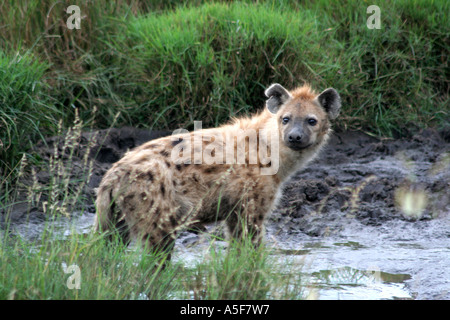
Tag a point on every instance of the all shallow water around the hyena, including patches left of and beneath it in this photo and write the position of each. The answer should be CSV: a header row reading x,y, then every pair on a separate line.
x,y
398,260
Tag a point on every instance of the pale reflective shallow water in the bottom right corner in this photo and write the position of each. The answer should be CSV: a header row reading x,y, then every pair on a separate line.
x,y
399,260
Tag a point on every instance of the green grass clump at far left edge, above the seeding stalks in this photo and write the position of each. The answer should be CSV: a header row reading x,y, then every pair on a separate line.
x,y
27,111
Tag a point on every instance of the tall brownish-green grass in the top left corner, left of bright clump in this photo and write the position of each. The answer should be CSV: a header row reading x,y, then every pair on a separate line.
x,y
83,67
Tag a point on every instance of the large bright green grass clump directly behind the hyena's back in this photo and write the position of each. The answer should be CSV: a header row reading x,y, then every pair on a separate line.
x,y
213,61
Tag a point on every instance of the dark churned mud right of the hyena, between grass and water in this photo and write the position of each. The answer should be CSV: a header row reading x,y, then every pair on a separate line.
x,y
357,176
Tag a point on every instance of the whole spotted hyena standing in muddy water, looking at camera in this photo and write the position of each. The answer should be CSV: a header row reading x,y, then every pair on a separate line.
x,y
232,173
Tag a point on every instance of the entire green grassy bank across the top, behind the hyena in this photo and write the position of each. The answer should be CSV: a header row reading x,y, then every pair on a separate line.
x,y
166,65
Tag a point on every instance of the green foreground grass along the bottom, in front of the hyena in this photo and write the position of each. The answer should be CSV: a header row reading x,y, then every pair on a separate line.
x,y
37,270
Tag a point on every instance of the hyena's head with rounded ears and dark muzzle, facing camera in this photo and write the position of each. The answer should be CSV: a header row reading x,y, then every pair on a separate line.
x,y
303,116
